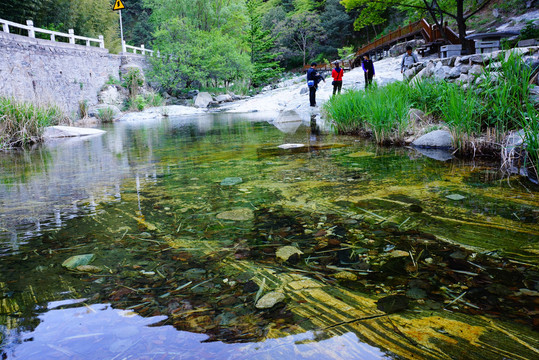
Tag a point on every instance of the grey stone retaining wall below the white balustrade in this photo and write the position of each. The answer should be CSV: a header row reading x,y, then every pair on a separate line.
x,y
46,72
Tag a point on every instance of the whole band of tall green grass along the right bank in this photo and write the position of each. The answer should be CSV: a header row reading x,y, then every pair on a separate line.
x,y
494,107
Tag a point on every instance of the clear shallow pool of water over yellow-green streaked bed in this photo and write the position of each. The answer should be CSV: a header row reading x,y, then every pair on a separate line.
x,y
148,199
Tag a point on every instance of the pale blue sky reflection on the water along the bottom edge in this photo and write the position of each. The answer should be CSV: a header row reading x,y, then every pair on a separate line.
x,y
100,331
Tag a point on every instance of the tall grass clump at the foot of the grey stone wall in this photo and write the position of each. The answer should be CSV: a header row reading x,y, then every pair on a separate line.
x,y
23,123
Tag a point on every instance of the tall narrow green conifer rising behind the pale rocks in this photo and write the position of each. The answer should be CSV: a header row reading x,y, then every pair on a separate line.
x,y
261,43
